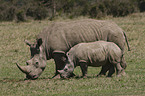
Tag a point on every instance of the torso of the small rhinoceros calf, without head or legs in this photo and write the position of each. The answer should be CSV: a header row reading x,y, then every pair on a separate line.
x,y
95,53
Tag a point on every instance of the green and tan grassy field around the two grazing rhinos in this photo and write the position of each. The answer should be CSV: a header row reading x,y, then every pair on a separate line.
x,y
13,49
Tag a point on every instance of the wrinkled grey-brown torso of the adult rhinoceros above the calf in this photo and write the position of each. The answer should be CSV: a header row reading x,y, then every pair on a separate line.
x,y
61,36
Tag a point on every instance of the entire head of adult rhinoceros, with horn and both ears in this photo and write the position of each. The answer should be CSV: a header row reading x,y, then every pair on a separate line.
x,y
37,63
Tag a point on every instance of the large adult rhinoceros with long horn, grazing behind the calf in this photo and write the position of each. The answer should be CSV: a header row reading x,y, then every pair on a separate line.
x,y
55,40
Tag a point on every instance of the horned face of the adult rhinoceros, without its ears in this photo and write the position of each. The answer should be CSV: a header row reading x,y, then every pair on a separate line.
x,y
34,67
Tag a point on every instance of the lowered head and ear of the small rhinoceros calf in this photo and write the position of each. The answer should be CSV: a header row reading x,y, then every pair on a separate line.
x,y
67,71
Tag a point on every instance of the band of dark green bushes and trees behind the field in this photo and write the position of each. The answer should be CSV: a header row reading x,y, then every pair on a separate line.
x,y
22,10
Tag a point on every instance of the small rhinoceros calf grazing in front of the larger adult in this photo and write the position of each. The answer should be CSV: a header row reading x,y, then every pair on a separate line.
x,y
99,53
